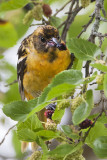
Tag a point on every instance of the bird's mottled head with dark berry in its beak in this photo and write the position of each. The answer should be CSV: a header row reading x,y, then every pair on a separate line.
x,y
46,39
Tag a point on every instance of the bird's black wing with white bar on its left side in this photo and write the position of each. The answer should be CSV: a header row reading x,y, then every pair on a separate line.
x,y
21,69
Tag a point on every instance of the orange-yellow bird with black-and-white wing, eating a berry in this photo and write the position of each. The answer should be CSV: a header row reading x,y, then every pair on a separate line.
x,y
41,56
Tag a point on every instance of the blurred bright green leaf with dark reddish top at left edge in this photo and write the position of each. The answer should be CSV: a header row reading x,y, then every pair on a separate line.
x,y
8,35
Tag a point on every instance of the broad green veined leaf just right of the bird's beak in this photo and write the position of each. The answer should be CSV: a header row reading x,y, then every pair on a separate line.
x,y
83,49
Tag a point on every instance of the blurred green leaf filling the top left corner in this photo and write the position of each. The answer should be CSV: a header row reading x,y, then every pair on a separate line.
x,y
13,4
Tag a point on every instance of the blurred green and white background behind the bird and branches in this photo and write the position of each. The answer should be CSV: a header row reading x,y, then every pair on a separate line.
x,y
14,27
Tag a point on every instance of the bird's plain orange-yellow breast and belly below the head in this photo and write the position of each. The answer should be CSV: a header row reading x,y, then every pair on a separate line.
x,y
40,71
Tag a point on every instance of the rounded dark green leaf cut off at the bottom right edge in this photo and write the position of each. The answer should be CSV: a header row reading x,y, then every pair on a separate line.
x,y
100,147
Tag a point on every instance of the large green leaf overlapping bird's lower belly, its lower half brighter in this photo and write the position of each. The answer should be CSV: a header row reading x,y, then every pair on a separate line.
x,y
61,84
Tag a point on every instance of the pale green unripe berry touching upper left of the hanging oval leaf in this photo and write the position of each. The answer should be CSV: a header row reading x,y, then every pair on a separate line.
x,y
75,103
